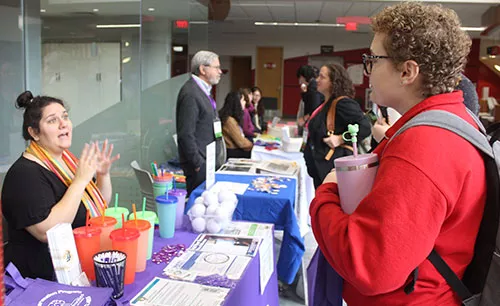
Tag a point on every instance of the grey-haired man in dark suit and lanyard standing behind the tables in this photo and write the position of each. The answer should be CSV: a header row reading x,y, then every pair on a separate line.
x,y
196,117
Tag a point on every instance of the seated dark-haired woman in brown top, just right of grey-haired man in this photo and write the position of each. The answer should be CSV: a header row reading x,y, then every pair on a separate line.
x,y
231,116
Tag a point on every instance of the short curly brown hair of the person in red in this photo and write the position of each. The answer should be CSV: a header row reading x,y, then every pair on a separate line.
x,y
431,36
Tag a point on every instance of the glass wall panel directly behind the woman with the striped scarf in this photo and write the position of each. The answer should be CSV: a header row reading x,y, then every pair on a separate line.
x,y
87,52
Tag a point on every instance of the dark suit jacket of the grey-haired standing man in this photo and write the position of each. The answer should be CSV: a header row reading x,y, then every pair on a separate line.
x,y
195,118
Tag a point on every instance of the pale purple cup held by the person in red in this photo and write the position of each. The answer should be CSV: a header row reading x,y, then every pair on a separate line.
x,y
355,177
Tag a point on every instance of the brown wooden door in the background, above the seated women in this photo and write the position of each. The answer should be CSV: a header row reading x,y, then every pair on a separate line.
x,y
269,73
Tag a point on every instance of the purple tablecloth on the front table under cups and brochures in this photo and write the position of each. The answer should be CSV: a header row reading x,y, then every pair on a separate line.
x,y
247,291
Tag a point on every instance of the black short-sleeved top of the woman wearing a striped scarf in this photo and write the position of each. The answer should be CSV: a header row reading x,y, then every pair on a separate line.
x,y
29,192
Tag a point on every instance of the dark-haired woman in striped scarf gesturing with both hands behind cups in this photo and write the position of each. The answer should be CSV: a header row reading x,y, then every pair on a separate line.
x,y
48,185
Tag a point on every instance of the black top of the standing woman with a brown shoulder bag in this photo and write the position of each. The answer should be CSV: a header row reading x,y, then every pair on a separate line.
x,y
347,112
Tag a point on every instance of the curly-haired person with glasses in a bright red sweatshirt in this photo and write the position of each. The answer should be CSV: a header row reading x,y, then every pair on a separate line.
x,y
430,187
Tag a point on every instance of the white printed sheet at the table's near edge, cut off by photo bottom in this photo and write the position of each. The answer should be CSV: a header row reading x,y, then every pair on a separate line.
x,y
166,292
